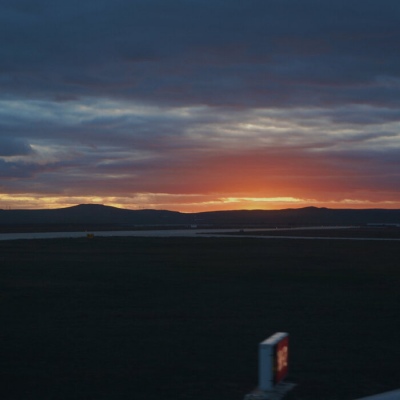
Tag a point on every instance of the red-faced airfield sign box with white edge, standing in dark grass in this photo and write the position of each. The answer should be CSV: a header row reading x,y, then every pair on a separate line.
x,y
273,360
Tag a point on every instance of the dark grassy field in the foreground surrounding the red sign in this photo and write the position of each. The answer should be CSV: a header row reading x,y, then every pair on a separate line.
x,y
132,318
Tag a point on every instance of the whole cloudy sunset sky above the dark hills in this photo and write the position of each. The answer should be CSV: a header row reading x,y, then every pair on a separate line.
x,y
198,105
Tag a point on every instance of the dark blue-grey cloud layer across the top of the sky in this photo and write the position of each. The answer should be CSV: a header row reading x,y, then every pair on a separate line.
x,y
252,53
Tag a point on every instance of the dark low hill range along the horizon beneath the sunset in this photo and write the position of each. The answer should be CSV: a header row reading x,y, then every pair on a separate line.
x,y
106,217
